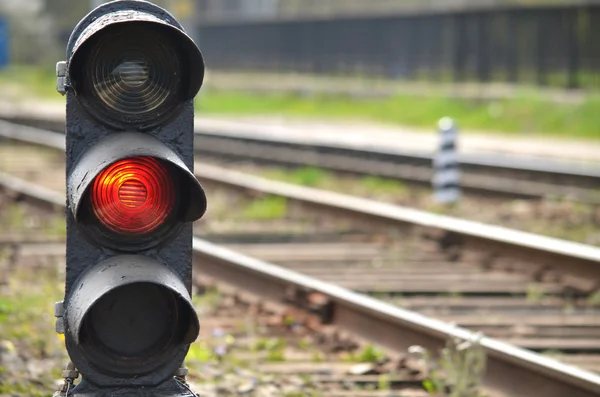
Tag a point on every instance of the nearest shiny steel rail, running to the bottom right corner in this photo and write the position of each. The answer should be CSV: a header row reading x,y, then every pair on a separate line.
x,y
511,371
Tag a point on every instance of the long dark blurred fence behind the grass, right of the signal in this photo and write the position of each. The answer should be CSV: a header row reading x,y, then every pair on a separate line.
x,y
550,45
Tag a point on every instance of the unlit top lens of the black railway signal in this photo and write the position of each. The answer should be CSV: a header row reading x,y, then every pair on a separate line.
x,y
133,75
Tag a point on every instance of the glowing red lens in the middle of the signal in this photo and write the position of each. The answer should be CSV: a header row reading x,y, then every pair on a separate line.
x,y
133,196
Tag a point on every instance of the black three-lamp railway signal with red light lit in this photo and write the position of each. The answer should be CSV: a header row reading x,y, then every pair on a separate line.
x,y
130,78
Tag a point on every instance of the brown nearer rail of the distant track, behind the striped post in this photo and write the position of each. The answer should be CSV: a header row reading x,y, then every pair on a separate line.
x,y
382,165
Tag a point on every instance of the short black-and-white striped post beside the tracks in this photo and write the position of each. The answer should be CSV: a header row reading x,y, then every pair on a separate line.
x,y
446,177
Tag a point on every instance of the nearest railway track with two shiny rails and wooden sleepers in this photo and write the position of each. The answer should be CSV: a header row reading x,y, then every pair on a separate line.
x,y
513,285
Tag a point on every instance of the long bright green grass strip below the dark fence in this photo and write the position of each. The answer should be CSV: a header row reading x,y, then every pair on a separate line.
x,y
524,115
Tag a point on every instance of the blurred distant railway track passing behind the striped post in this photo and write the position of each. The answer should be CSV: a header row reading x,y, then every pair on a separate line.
x,y
482,175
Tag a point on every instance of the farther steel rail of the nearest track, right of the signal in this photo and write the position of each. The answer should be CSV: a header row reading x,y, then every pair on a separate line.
x,y
577,259
